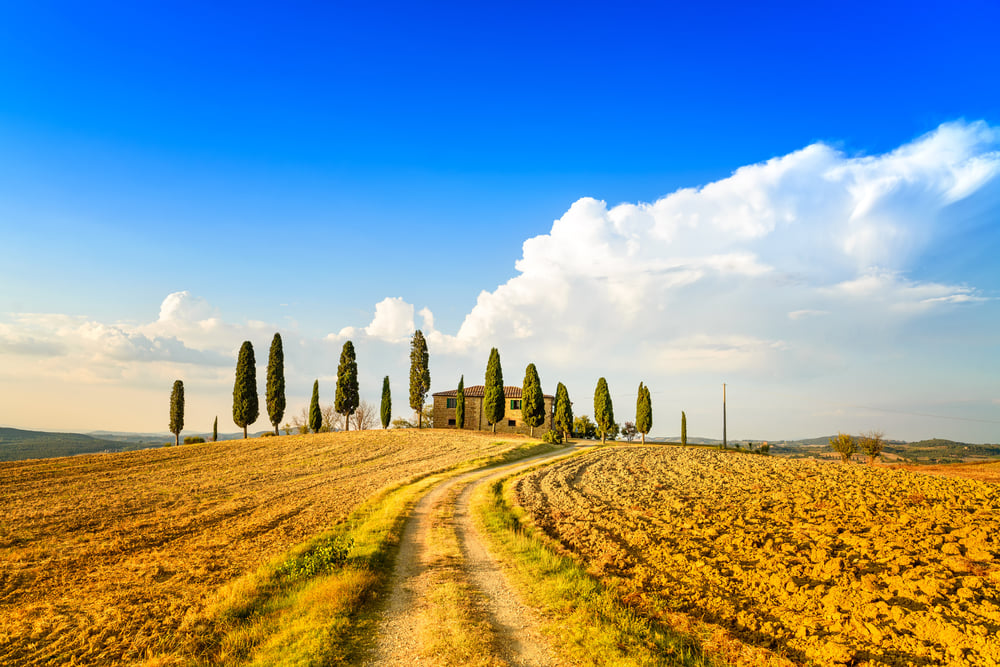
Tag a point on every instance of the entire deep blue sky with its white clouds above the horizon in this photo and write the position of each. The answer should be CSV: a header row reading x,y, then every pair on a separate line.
x,y
288,167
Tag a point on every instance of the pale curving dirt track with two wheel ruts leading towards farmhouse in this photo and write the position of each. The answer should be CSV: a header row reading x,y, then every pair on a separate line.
x,y
516,638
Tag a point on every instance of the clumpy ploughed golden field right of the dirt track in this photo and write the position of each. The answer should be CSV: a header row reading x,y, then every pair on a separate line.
x,y
817,562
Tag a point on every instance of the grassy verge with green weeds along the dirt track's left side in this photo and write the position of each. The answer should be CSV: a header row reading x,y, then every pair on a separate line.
x,y
272,617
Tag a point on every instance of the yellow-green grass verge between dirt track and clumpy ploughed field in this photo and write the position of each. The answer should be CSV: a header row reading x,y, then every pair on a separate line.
x,y
587,623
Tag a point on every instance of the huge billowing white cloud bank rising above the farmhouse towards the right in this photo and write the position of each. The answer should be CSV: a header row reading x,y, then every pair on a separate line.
x,y
721,275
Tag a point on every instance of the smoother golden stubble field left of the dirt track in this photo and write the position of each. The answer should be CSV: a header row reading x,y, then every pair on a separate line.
x,y
103,556
